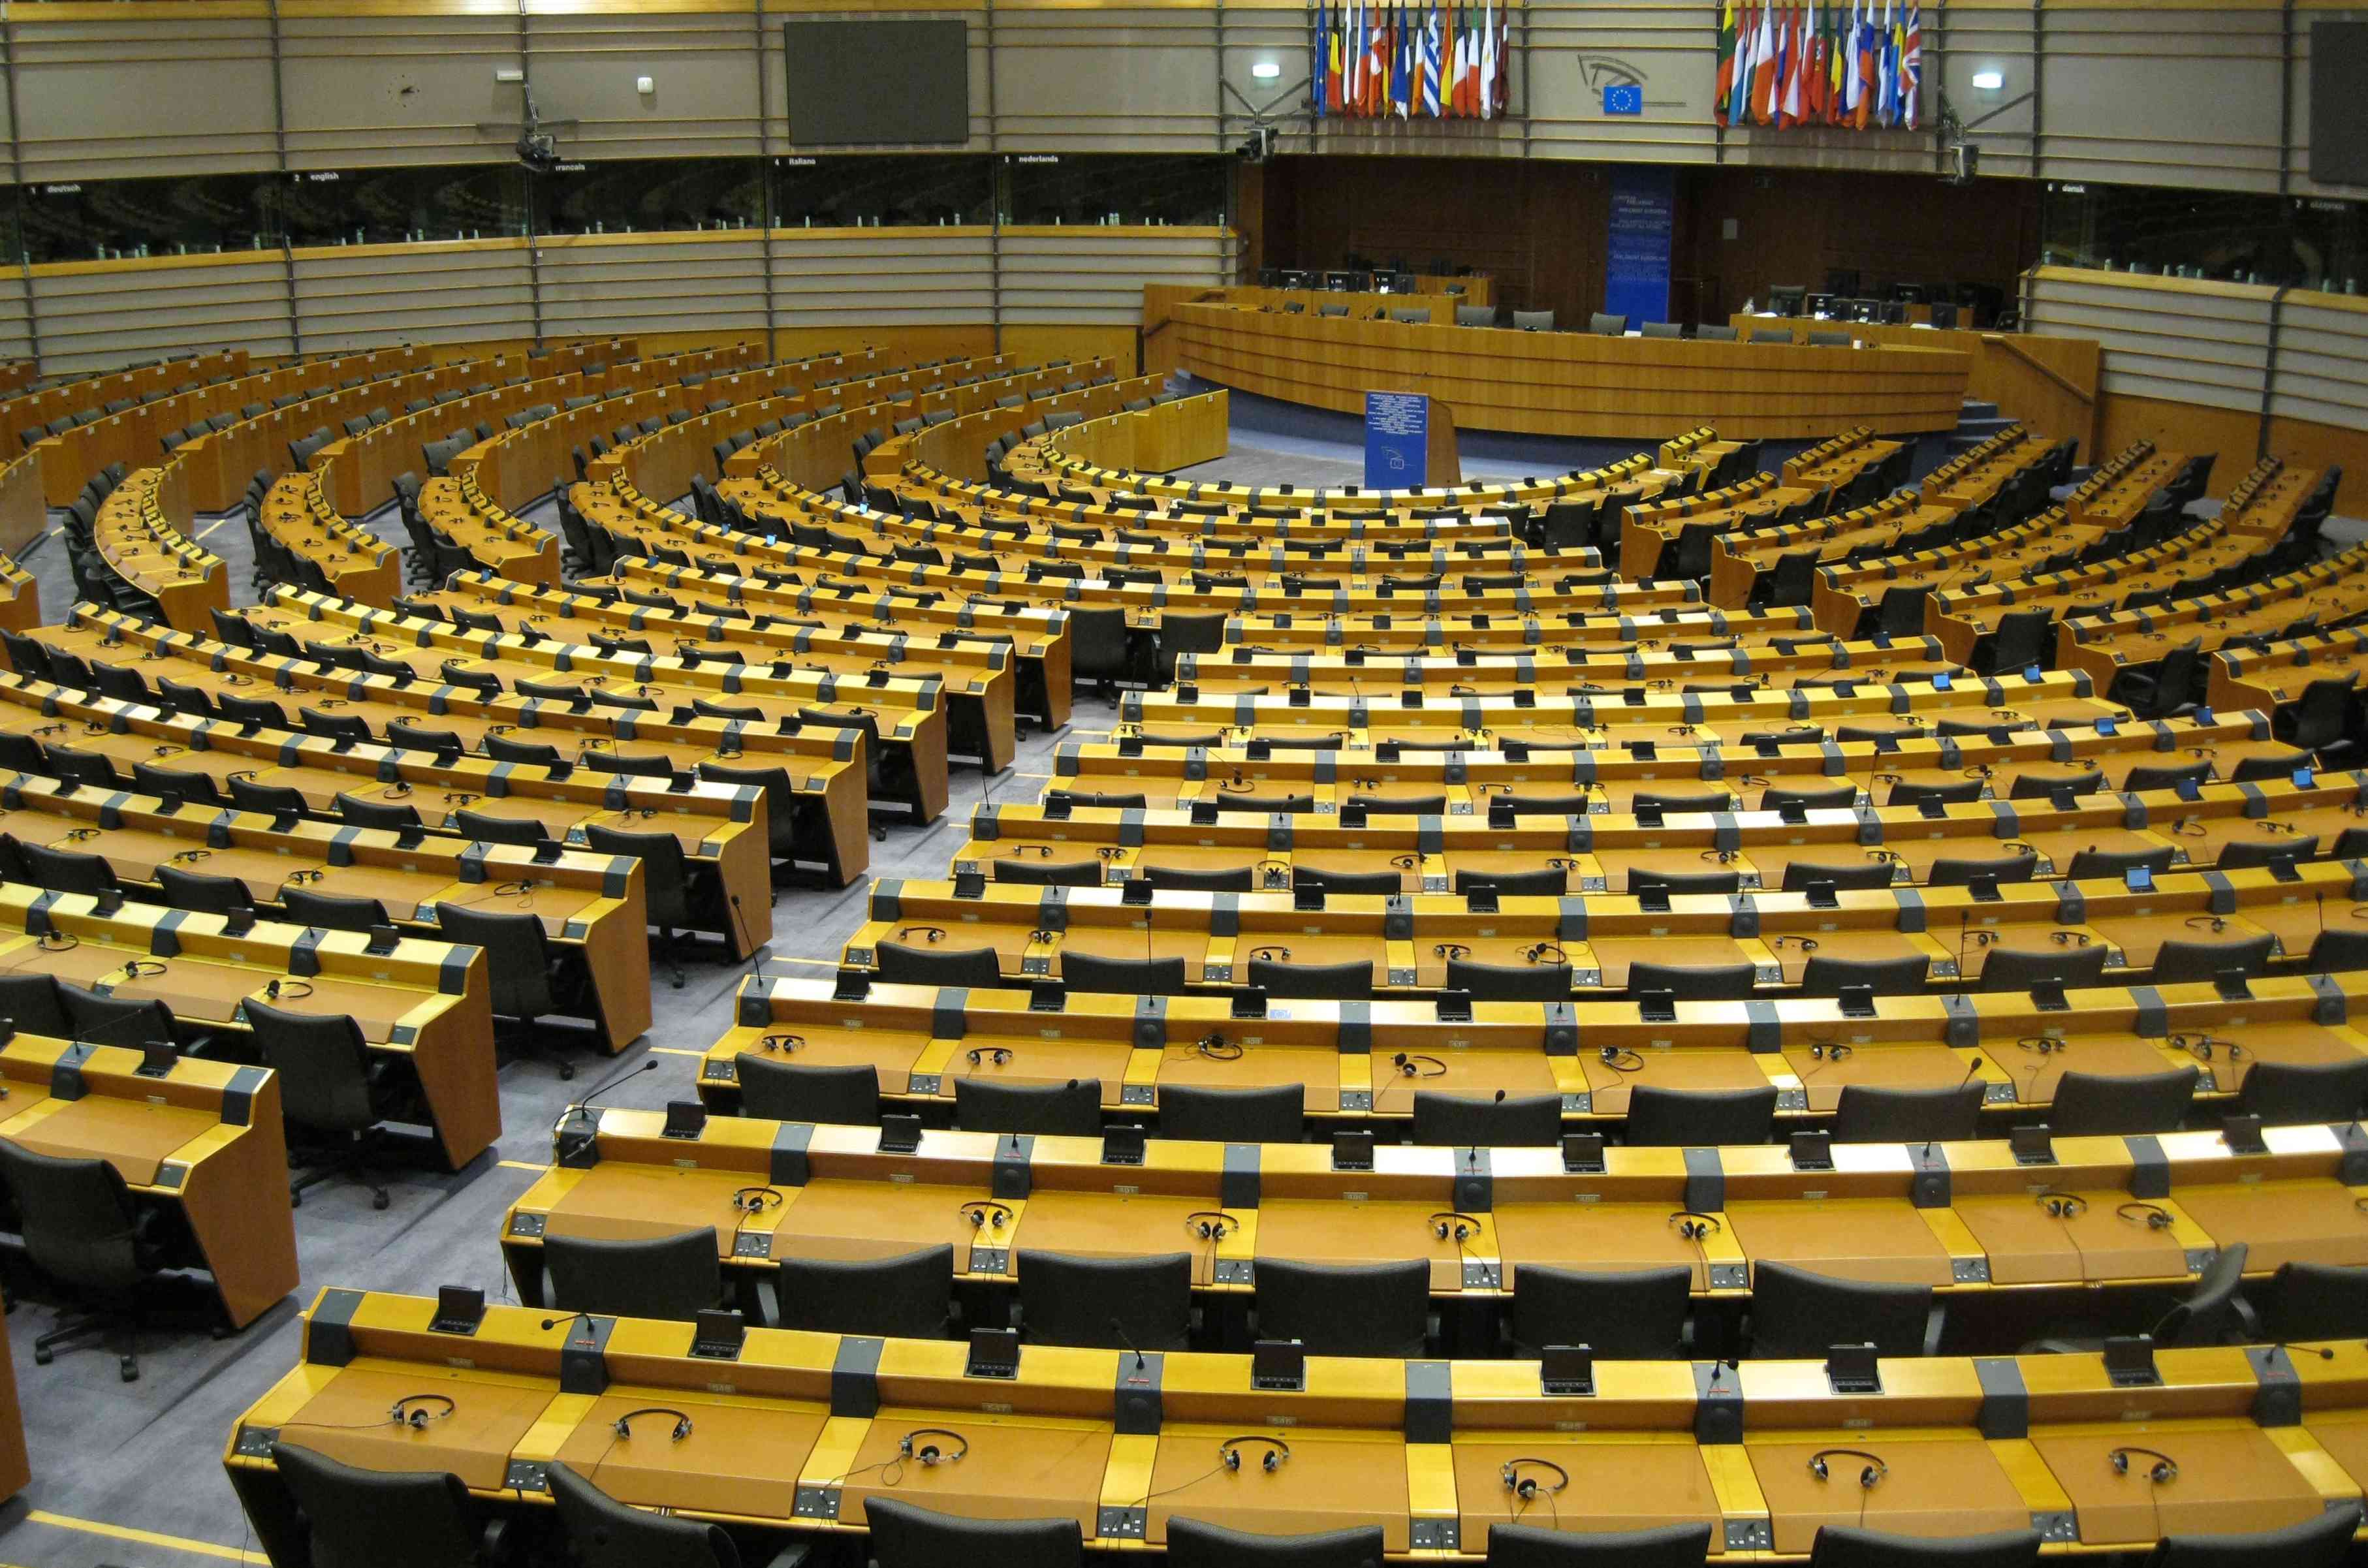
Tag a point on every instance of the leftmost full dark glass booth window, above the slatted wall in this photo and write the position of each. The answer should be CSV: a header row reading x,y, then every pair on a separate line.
x,y
117,219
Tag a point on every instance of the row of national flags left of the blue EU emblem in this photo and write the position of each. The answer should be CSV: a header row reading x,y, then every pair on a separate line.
x,y
1382,58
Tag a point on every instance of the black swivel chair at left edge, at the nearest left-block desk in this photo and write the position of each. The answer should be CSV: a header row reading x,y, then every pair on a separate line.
x,y
84,1230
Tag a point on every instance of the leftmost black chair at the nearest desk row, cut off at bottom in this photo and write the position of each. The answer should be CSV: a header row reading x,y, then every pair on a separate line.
x,y
352,1515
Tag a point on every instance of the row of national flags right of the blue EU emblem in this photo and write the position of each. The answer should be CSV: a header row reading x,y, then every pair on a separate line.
x,y
1806,65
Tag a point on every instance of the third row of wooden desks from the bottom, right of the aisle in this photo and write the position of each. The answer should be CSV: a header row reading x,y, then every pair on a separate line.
x,y
1368,1060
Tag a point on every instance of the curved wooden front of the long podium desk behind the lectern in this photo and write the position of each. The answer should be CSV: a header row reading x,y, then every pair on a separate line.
x,y
1574,385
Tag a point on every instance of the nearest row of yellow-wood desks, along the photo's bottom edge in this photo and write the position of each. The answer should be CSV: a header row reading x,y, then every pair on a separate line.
x,y
799,1432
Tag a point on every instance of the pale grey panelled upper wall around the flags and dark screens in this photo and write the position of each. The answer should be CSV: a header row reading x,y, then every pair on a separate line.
x,y
2137,94
